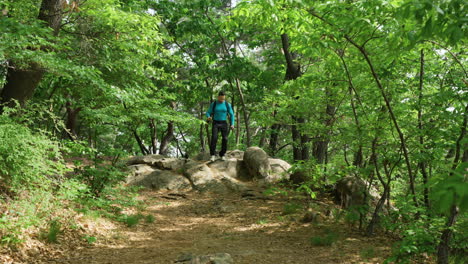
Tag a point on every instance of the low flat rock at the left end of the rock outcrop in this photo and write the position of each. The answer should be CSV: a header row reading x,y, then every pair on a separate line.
x,y
161,179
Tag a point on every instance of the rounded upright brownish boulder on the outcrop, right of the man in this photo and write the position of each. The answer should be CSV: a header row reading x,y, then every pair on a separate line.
x,y
257,162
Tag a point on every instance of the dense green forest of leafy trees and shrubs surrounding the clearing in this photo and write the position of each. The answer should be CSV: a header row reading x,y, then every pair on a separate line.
x,y
374,89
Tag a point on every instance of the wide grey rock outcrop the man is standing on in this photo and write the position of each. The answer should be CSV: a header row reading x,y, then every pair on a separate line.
x,y
160,172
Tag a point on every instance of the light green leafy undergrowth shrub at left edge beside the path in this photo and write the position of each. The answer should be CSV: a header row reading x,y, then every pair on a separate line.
x,y
36,197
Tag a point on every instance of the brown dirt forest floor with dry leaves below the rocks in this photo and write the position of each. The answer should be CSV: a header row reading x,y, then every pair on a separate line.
x,y
252,229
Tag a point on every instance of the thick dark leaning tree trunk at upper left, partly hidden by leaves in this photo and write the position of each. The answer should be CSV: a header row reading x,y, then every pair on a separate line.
x,y
21,83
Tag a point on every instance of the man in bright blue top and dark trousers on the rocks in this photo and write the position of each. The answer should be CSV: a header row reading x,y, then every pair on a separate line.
x,y
217,112
